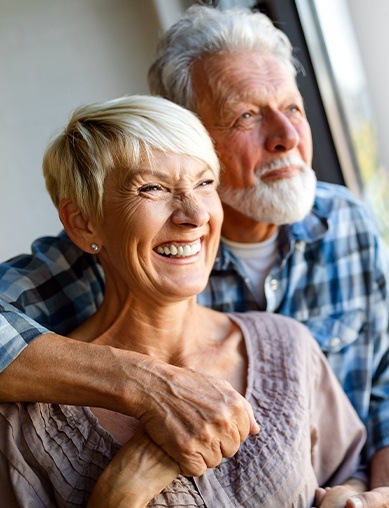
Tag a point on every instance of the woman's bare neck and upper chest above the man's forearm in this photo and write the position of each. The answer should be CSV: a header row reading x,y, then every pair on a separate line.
x,y
181,333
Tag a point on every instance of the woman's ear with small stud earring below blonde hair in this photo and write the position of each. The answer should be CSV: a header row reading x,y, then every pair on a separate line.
x,y
78,227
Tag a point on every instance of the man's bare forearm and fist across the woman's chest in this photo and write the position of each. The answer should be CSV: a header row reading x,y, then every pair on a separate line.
x,y
195,419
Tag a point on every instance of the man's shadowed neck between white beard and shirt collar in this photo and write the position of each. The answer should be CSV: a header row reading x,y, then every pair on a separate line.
x,y
242,229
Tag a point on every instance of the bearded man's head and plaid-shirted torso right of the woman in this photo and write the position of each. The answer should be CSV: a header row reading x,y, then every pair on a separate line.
x,y
326,268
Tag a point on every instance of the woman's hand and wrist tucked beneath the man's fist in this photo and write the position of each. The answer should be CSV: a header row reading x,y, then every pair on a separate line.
x,y
139,471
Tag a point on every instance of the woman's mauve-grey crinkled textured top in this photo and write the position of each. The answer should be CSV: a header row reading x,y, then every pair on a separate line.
x,y
52,455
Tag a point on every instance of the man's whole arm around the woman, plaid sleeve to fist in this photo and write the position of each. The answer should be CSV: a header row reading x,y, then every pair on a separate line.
x,y
195,419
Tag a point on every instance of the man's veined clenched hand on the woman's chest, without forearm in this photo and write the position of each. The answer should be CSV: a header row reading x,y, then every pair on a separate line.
x,y
197,420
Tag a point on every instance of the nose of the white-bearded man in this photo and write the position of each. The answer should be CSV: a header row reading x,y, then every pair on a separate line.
x,y
282,134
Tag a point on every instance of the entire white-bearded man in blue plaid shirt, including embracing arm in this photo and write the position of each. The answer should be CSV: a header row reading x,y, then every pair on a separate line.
x,y
290,246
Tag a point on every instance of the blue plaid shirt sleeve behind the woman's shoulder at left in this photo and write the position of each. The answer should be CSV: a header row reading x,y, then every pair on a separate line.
x,y
55,288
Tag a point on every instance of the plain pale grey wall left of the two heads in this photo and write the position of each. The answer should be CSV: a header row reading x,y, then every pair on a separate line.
x,y
54,56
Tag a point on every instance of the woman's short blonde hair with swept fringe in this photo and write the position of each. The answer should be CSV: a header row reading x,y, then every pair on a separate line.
x,y
119,133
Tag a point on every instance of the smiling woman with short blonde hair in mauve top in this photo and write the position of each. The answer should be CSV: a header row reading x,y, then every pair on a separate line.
x,y
134,181
